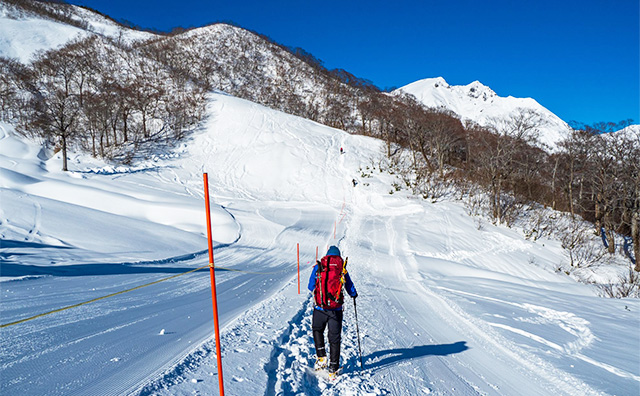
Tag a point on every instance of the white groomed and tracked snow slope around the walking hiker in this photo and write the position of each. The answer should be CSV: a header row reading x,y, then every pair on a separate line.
x,y
443,308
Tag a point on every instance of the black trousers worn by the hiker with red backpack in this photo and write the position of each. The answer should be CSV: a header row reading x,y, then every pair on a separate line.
x,y
320,321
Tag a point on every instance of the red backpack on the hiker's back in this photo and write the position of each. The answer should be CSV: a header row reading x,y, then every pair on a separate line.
x,y
329,280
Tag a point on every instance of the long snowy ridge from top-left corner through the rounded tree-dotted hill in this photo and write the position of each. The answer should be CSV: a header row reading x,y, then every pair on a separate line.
x,y
218,56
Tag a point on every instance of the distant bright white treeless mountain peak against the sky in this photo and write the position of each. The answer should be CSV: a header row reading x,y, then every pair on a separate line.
x,y
478,103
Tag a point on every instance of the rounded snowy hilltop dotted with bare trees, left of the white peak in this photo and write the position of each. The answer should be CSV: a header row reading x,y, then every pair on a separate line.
x,y
245,64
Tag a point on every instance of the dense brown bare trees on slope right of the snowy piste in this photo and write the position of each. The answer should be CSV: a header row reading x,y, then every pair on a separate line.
x,y
593,176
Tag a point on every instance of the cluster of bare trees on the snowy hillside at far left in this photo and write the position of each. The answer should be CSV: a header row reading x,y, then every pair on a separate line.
x,y
98,96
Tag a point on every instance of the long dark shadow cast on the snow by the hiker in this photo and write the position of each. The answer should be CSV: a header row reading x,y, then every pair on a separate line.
x,y
379,359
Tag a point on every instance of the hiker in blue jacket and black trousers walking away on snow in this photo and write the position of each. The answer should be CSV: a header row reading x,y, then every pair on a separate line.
x,y
326,281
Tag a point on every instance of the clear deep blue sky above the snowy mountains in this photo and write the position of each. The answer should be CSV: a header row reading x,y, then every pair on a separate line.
x,y
580,59
